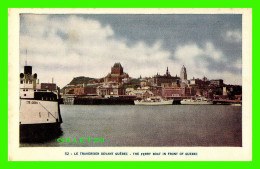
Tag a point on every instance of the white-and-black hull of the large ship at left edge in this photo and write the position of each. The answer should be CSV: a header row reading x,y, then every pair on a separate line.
x,y
39,120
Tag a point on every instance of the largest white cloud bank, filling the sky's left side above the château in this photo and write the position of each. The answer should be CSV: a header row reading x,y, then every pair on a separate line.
x,y
74,46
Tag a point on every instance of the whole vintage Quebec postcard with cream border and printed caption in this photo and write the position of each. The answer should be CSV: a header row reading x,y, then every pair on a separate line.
x,y
130,84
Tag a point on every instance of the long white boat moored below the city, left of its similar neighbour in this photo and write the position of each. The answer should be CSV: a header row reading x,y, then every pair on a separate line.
x,y
154,101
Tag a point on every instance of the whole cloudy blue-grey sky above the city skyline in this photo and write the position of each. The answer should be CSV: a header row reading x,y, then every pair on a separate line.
x,y
65,46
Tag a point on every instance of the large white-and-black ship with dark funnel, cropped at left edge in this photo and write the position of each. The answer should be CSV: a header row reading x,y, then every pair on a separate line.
x,y
39,109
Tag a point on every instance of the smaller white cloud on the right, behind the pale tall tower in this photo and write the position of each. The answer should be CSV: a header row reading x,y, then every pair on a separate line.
x,y
206,60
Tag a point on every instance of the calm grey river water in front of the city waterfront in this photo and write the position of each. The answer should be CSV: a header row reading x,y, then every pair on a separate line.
x,y
171,125
